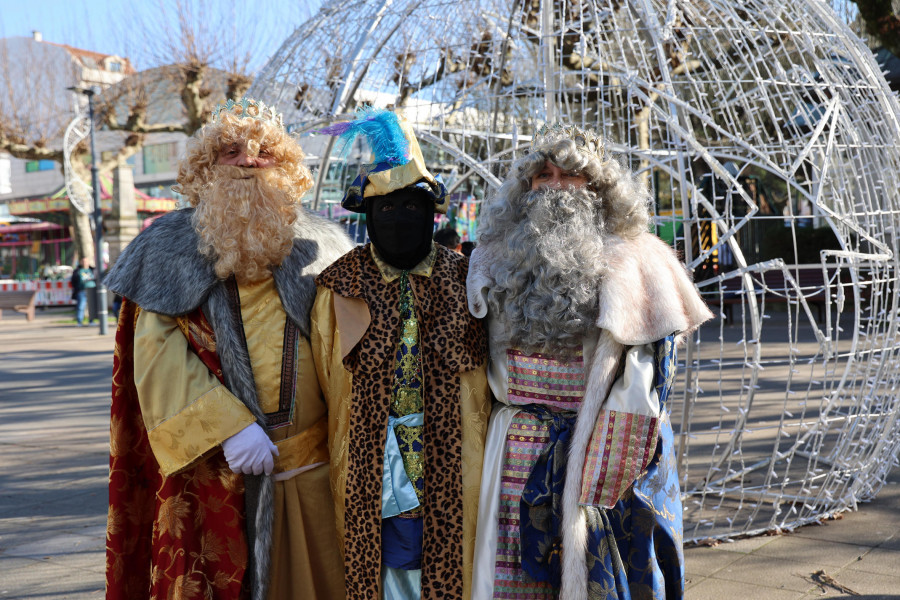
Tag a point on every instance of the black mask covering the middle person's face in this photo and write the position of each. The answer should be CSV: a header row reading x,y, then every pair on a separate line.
x,y
400,226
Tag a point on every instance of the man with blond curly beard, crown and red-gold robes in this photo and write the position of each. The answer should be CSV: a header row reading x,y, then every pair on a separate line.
x,y
219,478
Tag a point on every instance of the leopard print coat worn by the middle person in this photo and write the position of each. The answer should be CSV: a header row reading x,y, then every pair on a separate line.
x,y
451,342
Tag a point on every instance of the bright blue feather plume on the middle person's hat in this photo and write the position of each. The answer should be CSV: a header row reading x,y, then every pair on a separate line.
x,y
382,130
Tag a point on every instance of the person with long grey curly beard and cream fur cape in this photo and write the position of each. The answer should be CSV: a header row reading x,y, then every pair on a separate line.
x,y
579,494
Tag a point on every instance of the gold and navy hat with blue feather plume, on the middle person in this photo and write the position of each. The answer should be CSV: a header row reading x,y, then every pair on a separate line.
x,y
397,159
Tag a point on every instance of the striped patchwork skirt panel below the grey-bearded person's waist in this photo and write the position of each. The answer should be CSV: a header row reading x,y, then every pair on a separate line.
x,y
525,440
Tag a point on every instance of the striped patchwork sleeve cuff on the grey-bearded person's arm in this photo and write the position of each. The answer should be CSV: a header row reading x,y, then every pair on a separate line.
x,y
621,447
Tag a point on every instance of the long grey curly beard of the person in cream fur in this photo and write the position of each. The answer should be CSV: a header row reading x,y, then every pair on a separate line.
x,y
548,269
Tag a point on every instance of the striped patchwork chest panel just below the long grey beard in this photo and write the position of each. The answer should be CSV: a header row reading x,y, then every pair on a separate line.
x,y
540,379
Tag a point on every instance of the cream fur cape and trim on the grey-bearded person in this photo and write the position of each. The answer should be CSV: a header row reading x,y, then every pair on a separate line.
x,y
646,295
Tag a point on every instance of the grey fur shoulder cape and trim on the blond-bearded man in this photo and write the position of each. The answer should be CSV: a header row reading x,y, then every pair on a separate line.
x,y
162,271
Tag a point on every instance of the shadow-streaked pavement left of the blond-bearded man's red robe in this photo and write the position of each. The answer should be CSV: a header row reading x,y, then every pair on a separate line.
x,y
55,381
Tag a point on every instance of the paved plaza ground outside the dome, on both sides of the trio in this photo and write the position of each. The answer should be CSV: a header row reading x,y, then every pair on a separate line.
x,y
54,410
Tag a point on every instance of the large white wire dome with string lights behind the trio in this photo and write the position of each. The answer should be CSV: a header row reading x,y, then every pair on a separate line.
x,y
769,139
